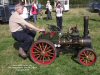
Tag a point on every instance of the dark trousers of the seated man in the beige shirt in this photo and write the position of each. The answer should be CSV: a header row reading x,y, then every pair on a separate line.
x,y
25,37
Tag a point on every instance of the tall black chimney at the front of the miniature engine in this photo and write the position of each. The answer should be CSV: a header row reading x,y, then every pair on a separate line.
x,y
86,32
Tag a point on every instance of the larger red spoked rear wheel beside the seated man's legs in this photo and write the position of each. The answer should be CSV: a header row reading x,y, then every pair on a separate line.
x,y
43,52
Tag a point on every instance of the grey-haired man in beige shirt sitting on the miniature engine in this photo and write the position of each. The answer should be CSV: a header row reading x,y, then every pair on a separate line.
x,y
22,31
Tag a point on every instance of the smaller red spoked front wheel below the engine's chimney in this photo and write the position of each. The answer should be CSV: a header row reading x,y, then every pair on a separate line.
x,y
87,57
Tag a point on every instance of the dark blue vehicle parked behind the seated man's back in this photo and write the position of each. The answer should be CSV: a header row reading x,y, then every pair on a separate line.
x,y
7,7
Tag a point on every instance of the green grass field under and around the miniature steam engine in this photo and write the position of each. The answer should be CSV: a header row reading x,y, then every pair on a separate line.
x,y
12,64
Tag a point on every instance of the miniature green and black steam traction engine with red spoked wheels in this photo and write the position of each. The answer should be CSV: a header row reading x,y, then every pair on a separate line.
x,y
44,51
